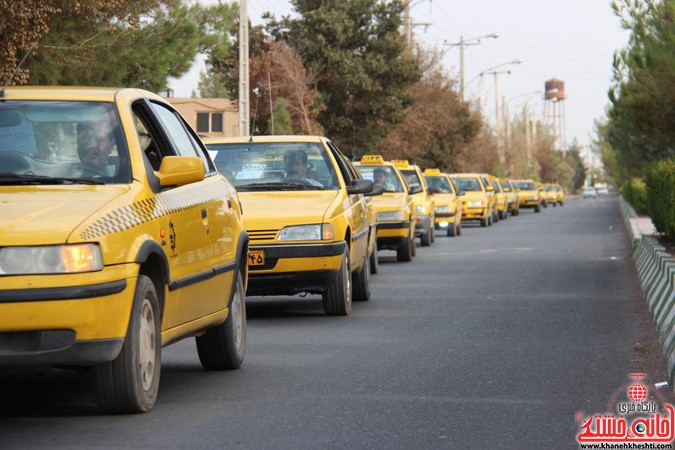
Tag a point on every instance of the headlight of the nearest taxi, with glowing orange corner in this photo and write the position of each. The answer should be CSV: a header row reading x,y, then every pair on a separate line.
x,y
50,259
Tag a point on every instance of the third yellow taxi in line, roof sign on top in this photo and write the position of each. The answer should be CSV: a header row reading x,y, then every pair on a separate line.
x,y
394,208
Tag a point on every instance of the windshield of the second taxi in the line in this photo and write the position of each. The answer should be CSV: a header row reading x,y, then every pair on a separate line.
x,y
275,166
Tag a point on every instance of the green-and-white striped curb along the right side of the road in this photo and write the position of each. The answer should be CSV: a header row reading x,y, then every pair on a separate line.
x,y
656,269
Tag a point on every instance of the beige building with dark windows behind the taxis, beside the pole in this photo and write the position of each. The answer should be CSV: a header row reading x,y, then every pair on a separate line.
x,y
210,117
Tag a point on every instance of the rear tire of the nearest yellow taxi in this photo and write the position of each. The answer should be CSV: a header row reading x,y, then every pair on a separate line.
x,y
223,347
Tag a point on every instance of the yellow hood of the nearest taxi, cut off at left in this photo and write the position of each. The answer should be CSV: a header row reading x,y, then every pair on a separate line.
x,y
49,214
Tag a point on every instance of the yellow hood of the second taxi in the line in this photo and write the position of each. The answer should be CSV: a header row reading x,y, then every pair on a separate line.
x,y
263,210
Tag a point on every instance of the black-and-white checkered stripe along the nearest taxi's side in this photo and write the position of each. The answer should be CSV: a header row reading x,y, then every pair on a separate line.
x,y
164,203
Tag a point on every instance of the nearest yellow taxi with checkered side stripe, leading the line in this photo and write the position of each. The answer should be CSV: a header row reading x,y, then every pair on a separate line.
x,y
118,237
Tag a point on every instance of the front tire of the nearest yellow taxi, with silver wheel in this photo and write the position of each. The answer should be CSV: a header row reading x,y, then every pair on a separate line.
x,y
129,383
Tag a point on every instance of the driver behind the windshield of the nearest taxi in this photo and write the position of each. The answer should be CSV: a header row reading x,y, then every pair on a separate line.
x,y
95,143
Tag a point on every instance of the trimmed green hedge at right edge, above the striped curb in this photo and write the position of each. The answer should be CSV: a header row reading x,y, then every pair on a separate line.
x,y
660,180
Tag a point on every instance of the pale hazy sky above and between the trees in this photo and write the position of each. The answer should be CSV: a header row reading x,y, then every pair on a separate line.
x,y
571,40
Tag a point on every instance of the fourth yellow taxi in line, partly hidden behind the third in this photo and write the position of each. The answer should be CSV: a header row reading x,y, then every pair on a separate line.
x,y
424,204
